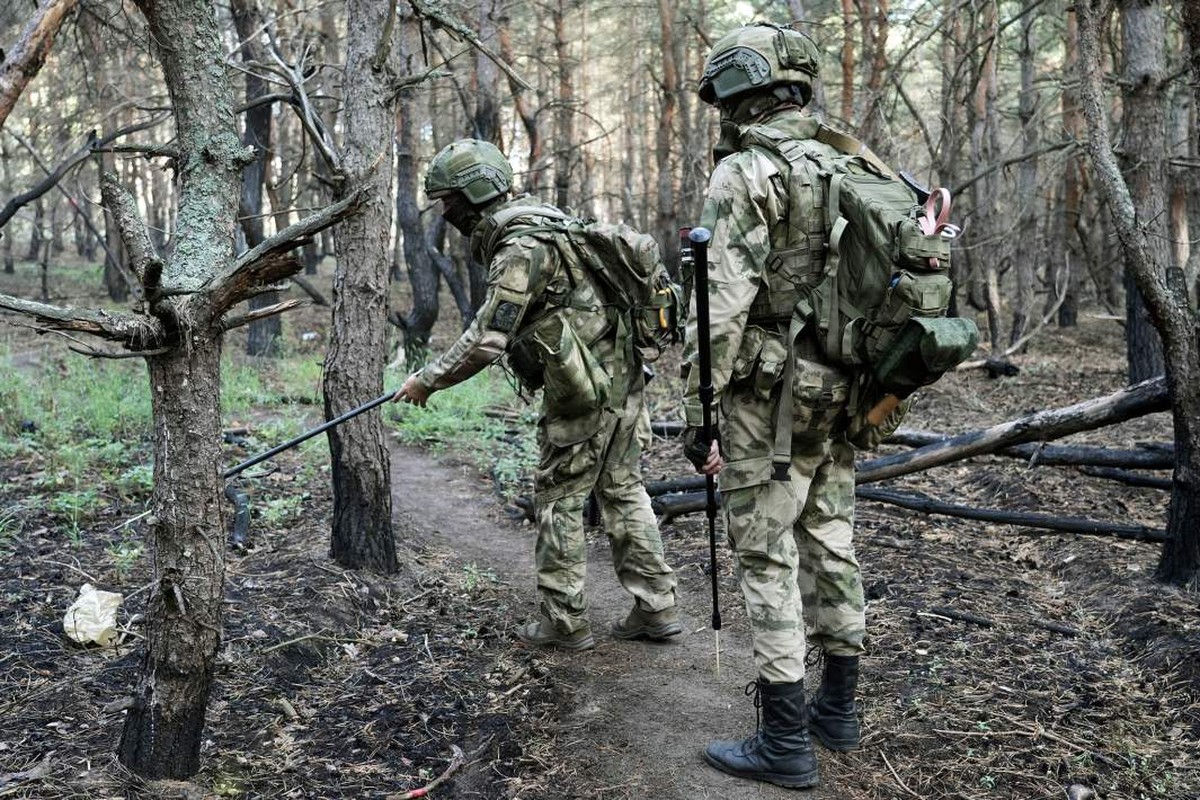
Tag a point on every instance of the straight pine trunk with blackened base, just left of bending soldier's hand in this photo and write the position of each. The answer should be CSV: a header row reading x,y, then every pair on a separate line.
x,y
355,365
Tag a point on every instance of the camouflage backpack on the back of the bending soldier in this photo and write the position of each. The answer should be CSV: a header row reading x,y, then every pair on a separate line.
x,y
627,268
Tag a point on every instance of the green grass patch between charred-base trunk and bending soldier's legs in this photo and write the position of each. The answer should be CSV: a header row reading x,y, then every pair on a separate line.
x,y
464,419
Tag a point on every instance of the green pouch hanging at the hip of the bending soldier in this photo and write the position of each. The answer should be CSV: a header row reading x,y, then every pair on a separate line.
x,y
574,382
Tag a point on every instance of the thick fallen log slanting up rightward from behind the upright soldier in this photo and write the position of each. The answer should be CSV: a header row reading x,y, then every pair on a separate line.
x,y
1139,400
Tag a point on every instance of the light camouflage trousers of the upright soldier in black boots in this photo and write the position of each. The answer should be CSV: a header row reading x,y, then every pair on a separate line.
x,y
793,540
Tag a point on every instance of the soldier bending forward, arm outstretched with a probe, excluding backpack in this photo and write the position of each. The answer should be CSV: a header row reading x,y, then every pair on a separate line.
x,y
550,323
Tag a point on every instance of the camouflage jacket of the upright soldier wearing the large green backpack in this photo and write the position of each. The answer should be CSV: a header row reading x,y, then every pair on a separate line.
x,y
747,209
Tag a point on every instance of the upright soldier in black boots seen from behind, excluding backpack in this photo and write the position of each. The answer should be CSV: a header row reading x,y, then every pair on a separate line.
x,y
789,520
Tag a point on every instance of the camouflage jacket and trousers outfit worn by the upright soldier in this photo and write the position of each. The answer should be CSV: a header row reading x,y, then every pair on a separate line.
x,y
791,540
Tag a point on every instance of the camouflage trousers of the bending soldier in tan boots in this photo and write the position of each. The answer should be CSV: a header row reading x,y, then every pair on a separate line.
x,y
599,452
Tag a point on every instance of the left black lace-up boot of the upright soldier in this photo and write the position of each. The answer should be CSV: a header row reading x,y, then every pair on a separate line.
x,y
781,753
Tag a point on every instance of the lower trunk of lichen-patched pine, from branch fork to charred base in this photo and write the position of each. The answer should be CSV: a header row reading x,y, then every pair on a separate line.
x,y
165,729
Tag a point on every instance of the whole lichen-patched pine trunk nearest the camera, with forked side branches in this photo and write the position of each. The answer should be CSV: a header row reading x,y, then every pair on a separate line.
x,y
164,731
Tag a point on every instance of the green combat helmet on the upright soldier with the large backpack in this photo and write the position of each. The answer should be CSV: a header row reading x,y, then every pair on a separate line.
x,y
757,58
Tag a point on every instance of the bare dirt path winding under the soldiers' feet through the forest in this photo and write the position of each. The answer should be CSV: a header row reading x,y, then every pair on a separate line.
x,y
641,712
